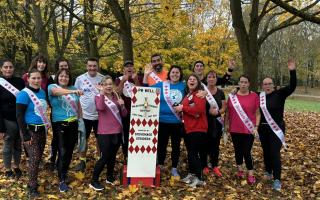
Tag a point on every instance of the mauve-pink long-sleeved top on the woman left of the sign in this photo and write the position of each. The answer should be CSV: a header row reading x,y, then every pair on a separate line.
x,y
108,123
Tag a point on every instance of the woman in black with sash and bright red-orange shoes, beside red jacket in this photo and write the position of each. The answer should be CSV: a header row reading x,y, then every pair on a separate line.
x,y
216,106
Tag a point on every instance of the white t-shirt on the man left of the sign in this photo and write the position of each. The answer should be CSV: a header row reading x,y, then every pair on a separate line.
x,y
87,84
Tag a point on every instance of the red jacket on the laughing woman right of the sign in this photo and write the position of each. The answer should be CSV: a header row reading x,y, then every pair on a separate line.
x,y
194,113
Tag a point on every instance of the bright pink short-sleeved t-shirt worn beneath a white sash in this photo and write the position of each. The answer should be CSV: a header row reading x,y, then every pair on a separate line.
x,y
249,104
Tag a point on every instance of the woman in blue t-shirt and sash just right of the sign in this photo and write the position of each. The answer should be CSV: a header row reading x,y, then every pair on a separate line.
x,y
172,93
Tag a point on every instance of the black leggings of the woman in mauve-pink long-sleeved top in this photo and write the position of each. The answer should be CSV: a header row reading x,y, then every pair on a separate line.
x,y
109,145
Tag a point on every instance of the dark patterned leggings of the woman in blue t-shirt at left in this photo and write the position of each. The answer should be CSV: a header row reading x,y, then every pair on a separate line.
x,y
35,151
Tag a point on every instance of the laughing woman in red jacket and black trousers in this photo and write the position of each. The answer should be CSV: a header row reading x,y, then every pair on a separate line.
x,y
196,126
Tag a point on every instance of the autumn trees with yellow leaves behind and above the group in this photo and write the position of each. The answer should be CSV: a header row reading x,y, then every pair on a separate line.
x,y
260,35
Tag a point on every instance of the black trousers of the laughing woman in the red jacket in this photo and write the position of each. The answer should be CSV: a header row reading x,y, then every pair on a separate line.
x,y
195,144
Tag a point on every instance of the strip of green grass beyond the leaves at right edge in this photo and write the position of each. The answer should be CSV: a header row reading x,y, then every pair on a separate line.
x,y
302,105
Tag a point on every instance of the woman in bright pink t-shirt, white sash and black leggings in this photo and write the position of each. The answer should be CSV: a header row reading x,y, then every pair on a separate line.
x,y
242,120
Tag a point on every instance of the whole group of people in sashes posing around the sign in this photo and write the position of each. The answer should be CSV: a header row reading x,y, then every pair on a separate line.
x,y
193,109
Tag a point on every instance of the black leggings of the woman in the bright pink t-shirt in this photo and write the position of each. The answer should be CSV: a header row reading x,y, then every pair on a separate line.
x,y
242,144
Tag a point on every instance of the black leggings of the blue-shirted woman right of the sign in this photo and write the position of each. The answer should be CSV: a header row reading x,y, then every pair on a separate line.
x,y
167,130
